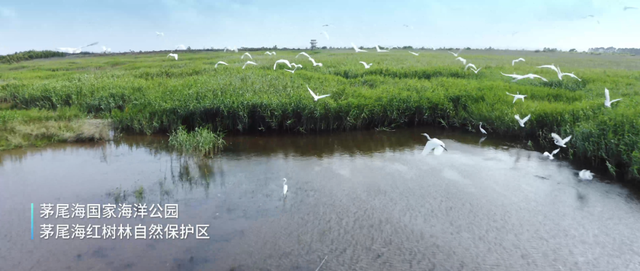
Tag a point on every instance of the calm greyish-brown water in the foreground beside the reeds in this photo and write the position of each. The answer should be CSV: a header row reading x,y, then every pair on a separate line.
x,y
365,201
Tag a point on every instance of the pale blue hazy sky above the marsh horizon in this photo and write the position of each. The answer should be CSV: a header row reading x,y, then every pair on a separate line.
x,y
124,25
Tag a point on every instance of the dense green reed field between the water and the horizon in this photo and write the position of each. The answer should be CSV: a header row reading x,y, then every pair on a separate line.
x,y
153,94
